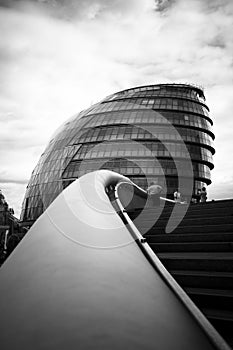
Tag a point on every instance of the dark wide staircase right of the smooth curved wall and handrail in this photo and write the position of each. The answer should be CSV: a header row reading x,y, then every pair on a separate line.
x,y
199,255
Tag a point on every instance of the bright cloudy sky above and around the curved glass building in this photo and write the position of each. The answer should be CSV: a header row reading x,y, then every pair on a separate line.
x,y
58,57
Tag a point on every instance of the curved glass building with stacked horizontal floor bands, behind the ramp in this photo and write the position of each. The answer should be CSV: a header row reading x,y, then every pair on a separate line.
x,y
138,132
